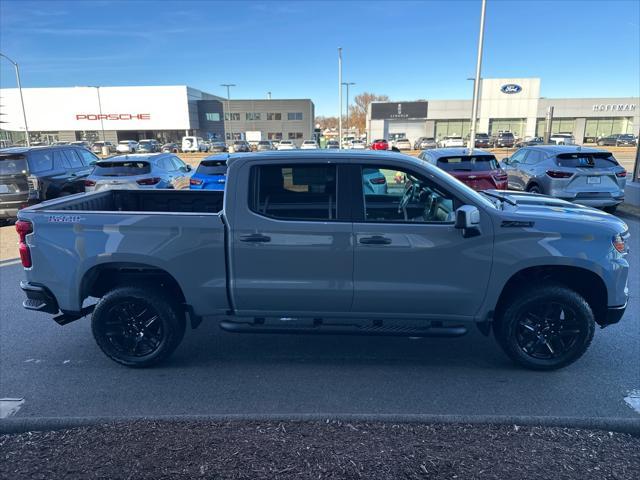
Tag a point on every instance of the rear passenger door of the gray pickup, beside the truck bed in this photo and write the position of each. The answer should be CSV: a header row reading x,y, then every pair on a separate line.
x,y
292,247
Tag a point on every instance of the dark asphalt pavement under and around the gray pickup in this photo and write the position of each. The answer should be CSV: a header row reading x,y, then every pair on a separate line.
x,y
53,371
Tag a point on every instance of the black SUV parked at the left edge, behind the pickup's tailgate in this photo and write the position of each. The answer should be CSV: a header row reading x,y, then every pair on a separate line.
x,y
32,175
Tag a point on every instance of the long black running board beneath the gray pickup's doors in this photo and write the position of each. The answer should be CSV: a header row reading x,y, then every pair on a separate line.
x,y
319,328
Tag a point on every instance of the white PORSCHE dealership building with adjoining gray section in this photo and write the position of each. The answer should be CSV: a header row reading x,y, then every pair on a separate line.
x,y
165,113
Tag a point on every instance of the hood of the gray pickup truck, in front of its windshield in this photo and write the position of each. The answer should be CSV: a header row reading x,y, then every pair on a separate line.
x,y
532,207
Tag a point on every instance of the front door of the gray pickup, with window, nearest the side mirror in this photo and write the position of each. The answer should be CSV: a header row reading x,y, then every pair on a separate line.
x,y
409,258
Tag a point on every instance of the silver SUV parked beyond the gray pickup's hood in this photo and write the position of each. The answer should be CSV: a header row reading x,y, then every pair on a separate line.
x,y
587,176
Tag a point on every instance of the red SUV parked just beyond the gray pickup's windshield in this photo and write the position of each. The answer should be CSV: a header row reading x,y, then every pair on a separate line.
x,y
477,168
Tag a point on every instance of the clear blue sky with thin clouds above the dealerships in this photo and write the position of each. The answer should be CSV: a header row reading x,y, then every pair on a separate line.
x,y
406,50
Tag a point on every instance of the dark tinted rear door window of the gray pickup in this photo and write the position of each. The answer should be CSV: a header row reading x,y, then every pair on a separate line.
x,y
294,192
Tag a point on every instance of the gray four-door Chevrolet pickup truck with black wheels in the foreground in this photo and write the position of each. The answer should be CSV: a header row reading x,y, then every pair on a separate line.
x,y
317,242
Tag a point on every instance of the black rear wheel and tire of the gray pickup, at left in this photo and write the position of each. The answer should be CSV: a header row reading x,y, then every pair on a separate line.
x,y
121,319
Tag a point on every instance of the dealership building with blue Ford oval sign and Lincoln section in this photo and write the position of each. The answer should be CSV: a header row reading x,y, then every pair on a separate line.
x,y
505,104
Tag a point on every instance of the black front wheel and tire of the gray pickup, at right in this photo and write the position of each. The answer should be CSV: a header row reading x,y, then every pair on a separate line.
x,y
531,335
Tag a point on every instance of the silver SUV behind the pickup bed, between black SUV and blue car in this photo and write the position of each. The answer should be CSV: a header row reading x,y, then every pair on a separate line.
x,y
157,170
